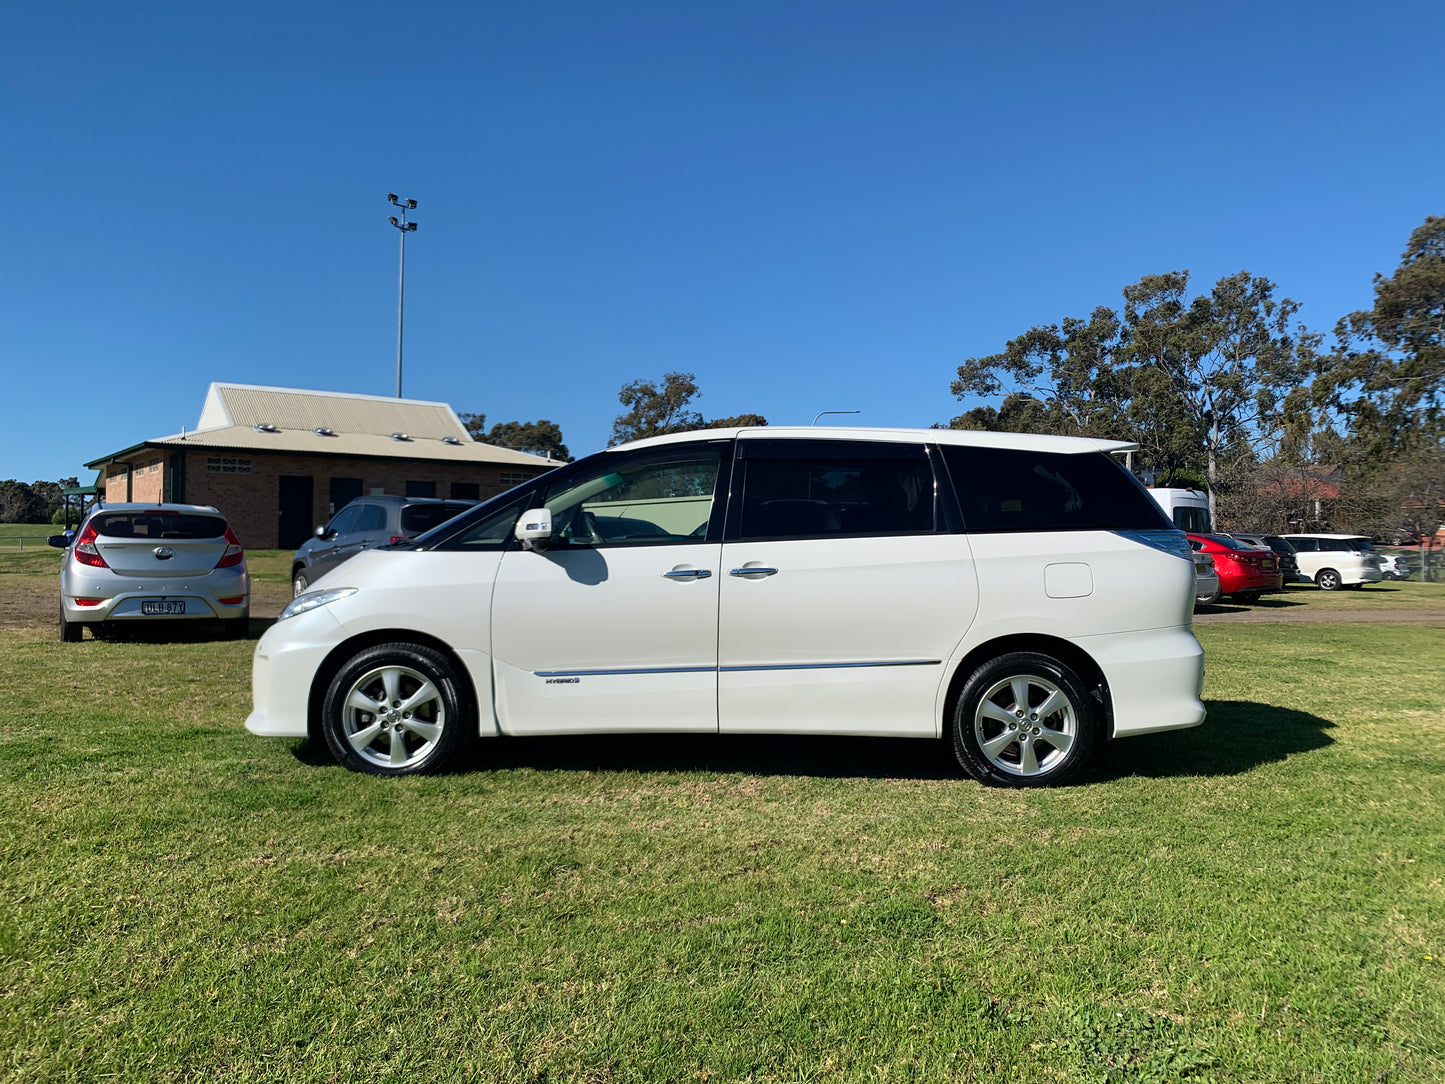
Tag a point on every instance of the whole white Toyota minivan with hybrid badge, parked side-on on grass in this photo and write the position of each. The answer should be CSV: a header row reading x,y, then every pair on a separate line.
x,y
1021,596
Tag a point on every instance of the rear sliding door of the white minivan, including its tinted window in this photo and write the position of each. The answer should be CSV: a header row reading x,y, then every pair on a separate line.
x,y
843,595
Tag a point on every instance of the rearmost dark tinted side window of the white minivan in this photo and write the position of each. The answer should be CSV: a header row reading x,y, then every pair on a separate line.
x,y
1006,489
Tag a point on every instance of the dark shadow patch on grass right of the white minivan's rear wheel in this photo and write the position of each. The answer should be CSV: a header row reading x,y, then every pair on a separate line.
x,y
1239,736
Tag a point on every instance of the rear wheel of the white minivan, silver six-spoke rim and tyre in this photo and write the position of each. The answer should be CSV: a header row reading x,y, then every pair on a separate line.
x,y
989,741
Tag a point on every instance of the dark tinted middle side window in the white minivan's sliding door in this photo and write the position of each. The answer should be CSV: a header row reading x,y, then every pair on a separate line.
x,y
836,496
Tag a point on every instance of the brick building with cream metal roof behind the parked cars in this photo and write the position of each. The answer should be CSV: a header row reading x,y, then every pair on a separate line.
x,y
278,462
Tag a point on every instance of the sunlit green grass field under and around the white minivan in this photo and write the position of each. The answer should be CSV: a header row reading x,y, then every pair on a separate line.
x,y
1259,900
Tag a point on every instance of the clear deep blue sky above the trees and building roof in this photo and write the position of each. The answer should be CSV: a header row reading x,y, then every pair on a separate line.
x,y
811,206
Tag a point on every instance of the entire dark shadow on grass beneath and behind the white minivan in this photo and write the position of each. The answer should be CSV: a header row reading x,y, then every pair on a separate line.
x,y
1238,738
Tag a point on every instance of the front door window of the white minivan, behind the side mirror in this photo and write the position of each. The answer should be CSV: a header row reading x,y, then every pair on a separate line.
x,y
645,499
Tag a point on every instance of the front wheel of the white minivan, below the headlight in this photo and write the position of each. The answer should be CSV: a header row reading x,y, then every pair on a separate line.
x,y
423,716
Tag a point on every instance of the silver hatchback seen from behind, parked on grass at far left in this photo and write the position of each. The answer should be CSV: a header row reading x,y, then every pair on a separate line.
x,y
151,564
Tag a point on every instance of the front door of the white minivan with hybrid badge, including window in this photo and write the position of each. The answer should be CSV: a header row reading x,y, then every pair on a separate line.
x,y
613,625
